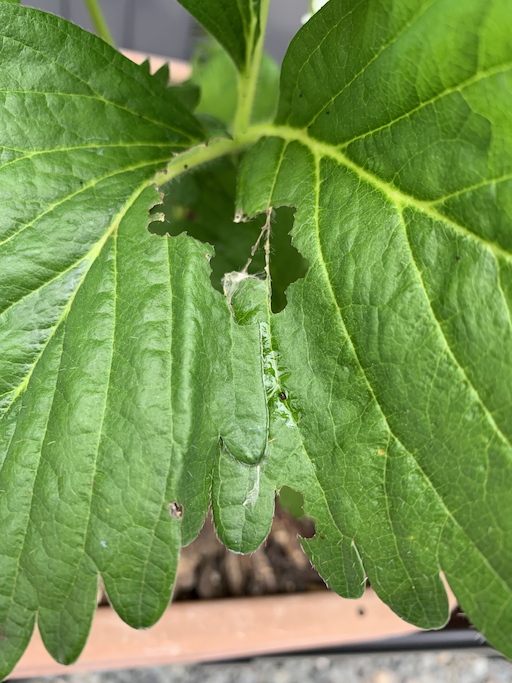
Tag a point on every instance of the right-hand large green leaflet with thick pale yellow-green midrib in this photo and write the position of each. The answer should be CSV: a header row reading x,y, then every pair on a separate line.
x,y
394,142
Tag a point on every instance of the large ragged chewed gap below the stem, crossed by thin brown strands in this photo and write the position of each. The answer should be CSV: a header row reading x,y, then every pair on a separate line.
x,y
202,205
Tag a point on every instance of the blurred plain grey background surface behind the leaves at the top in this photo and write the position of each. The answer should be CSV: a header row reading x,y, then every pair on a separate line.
x,y
164,27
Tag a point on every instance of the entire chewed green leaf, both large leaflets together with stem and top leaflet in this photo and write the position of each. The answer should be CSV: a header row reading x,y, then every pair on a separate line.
x,y
380,392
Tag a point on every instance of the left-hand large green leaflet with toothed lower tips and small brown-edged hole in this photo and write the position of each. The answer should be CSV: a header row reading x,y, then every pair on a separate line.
x,y
100,332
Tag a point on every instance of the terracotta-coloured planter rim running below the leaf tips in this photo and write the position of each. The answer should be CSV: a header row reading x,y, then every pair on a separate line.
x,y
212,630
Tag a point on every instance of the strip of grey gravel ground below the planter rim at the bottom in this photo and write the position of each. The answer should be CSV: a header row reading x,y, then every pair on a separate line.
x,y
429,667
